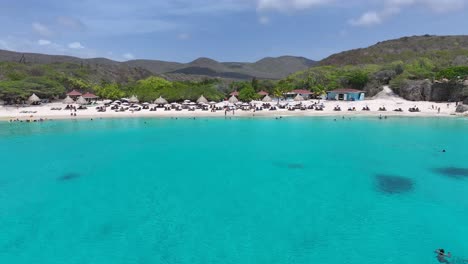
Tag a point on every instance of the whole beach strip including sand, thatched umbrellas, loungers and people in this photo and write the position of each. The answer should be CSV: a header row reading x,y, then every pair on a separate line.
x,y
383,105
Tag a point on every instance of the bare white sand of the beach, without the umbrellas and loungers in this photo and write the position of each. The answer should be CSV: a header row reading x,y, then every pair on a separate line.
x,y
385,98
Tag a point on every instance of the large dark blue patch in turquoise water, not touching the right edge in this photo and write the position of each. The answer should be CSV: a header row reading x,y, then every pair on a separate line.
x,y
391,184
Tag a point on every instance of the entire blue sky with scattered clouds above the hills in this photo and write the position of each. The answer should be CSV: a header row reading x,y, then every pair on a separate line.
x,y
225,30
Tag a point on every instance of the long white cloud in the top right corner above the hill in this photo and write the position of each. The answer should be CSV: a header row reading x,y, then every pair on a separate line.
x,y
393,7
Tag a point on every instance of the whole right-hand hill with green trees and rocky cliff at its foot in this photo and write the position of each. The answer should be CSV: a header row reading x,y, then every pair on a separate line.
x,y
417,68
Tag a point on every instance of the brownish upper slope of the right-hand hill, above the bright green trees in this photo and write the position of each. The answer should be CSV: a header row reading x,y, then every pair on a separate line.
x,y
443,50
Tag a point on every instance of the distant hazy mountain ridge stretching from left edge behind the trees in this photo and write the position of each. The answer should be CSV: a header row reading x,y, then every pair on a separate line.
x,y
267,68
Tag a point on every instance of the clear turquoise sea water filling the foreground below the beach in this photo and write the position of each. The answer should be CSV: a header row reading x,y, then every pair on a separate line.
x,y
297,190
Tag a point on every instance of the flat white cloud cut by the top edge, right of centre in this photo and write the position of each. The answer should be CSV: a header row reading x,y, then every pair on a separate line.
x,y
283,5
